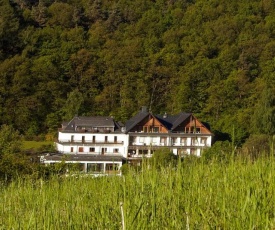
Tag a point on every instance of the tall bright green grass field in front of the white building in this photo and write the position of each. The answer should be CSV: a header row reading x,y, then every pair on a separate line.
x,y
197,195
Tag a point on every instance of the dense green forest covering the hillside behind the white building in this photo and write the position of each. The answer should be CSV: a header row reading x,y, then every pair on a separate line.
x,y
213,58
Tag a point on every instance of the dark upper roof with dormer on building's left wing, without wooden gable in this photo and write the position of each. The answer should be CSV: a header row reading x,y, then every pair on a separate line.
x,y
94,121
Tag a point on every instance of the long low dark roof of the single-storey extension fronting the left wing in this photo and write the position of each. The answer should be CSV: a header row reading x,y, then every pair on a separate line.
x,y
83,157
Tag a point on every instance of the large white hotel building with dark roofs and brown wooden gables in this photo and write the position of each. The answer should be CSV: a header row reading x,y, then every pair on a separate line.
x,y
103,143
